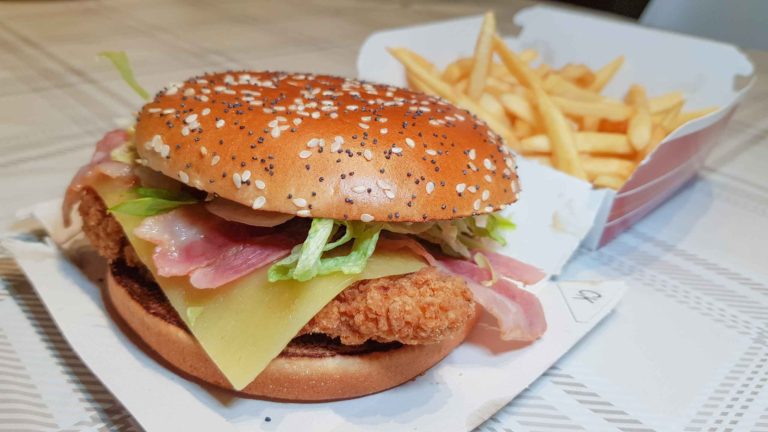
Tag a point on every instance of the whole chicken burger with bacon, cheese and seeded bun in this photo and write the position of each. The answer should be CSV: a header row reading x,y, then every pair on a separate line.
x,y
303,237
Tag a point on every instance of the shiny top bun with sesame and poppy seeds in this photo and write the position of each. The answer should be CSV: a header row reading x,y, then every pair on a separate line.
x,y
323,146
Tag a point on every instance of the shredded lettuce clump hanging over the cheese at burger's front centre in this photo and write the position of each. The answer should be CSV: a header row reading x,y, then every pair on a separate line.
x,y
307,261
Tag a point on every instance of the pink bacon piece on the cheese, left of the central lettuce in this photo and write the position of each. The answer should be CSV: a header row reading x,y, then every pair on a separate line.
x,y
211,251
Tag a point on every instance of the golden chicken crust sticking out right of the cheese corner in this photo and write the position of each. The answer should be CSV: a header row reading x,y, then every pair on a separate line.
x,y
418,308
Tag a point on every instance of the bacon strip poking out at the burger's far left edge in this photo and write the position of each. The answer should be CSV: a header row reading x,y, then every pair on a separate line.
x,y
100,164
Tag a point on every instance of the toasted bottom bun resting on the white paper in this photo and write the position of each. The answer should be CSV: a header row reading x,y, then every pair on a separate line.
x,y
309,369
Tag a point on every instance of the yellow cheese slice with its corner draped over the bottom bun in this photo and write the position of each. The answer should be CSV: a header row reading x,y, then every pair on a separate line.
x,y
245,324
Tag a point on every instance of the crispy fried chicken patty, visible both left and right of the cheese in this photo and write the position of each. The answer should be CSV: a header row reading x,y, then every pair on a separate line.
x,y
418,308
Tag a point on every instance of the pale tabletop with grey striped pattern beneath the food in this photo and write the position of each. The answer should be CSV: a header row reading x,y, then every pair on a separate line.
x,y
697,263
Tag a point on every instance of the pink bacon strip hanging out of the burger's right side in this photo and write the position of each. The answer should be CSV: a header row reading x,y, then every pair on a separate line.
x,y
518,312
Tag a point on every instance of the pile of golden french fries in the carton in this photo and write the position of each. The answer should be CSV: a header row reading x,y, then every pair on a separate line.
x,y
555,116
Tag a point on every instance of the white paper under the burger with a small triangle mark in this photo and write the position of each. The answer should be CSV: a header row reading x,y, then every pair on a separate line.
x,y
466,388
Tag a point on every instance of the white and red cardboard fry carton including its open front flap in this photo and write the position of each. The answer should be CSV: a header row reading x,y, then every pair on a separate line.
x,y
708,73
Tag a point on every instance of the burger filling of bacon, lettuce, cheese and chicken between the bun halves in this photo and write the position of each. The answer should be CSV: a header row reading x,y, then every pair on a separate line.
x,y
246,282
